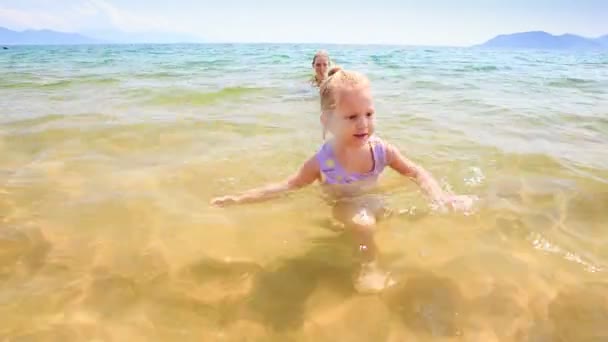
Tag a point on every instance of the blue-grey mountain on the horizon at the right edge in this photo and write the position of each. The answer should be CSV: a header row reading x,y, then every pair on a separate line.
x,y
544,40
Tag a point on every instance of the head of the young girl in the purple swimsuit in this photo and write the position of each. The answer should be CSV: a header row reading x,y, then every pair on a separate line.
x,y
347,109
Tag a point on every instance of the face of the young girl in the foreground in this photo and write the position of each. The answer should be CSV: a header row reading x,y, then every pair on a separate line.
x,y
353,120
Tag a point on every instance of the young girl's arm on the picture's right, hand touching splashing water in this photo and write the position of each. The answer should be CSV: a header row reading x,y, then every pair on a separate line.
x,y
425,180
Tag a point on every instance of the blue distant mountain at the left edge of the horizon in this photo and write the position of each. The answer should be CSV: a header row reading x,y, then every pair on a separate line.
x,y
43,37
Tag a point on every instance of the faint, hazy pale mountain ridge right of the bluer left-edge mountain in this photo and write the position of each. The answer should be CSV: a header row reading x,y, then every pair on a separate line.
x,y
143,37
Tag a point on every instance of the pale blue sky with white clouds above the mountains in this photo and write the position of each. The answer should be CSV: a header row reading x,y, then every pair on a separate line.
x,y
422,22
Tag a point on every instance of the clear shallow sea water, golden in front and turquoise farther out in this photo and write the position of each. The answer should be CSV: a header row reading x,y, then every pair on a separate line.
x,y
109,156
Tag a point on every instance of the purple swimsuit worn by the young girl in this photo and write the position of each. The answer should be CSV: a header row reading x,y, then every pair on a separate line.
x,y
333,173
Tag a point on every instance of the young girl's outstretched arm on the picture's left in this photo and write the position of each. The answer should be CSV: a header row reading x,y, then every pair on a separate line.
x,y
308,173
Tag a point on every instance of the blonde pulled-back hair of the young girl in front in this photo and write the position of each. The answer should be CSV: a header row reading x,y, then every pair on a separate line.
x,y
337,80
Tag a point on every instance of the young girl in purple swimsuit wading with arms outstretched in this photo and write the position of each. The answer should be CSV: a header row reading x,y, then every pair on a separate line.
x,y
348,167
